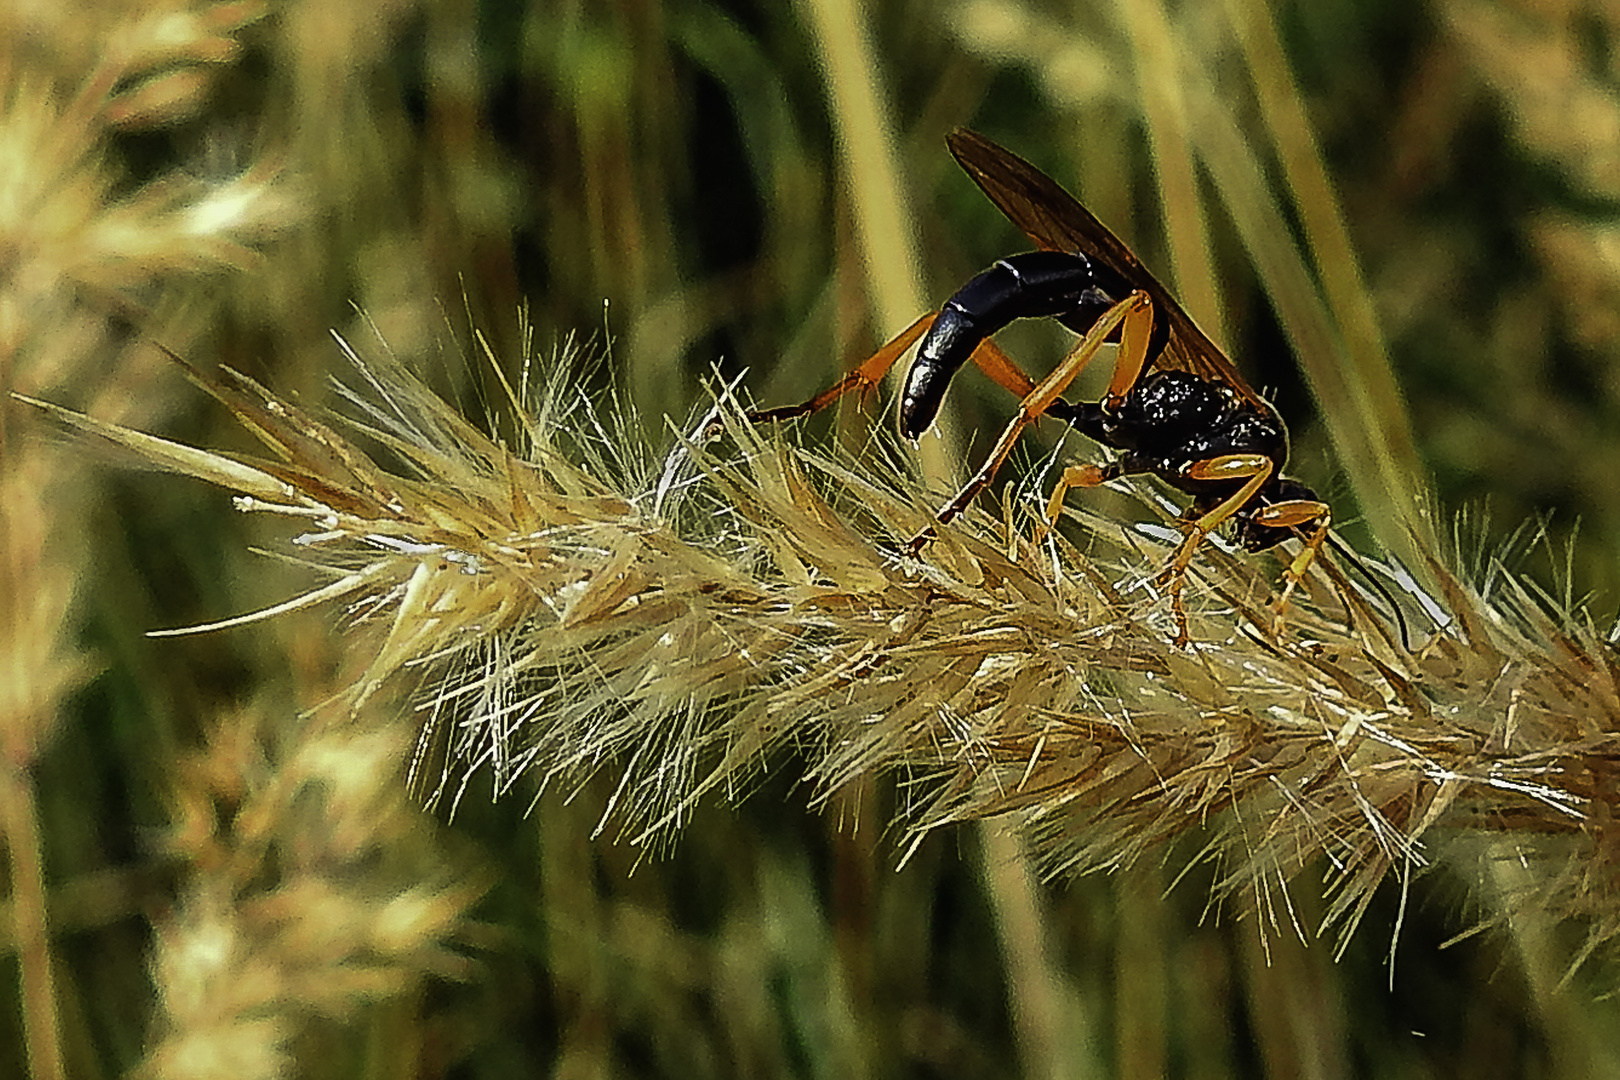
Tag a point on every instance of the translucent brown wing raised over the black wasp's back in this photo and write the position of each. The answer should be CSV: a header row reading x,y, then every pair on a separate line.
x,y
1057,221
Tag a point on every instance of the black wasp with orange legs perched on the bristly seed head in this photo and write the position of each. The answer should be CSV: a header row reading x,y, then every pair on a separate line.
x,y
1175,407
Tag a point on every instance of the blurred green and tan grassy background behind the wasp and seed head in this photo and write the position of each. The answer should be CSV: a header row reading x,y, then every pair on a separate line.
x,y
1426,279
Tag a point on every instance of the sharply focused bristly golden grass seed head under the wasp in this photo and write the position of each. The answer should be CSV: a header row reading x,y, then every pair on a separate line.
x,y
578,603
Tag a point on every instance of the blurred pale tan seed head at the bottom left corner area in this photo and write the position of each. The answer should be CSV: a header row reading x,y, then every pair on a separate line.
x,y
309,890
